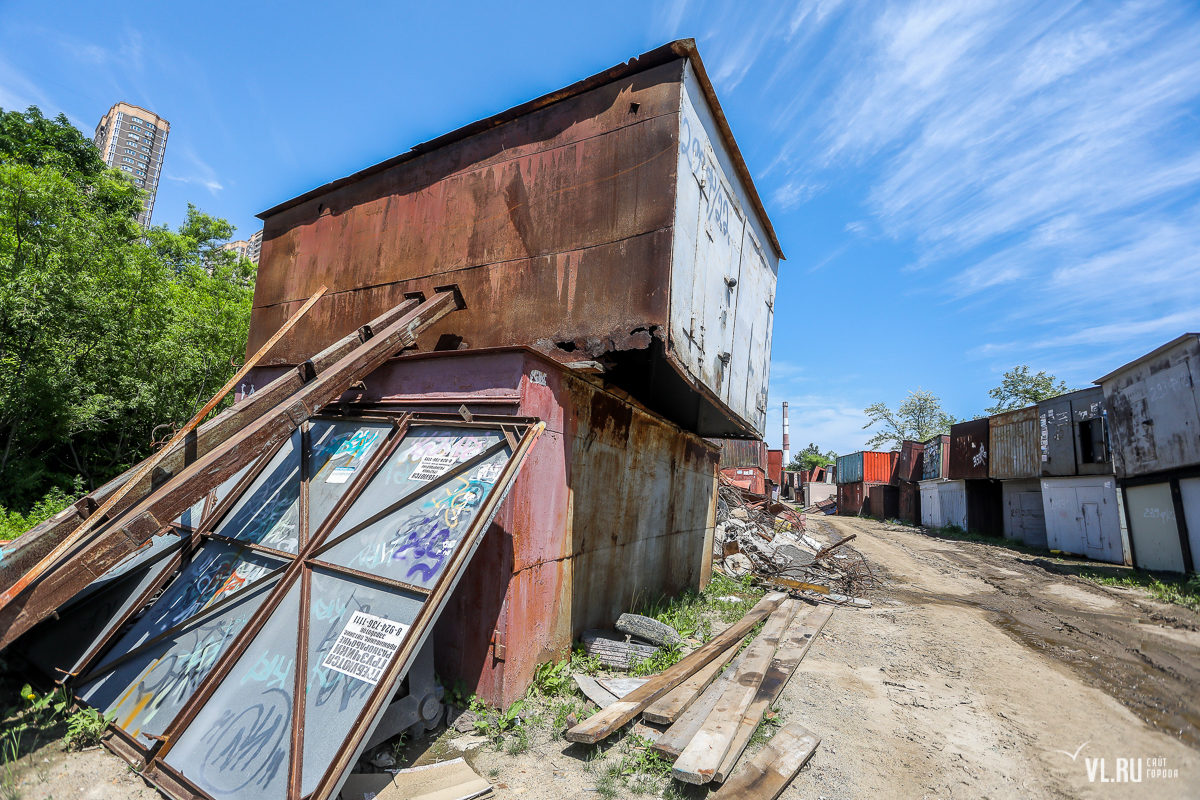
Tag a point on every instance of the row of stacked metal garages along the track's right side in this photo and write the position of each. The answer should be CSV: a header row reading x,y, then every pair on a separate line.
x,y
1111,473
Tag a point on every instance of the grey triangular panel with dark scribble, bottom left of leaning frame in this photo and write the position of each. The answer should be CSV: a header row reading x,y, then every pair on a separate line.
x,y
238,745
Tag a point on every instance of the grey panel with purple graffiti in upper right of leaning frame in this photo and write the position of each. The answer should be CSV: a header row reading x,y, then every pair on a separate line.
x,y
413,544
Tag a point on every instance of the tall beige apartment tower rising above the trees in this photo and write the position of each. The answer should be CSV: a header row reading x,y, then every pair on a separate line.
x,y
134,140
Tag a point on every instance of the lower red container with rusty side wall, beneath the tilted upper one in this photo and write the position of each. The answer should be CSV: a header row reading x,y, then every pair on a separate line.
x,y
614,504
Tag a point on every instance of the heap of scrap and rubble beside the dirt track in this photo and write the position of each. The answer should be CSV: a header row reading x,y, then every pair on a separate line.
x,y
755,537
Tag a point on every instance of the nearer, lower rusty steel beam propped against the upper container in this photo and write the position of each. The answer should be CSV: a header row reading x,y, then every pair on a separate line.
x,y
154,513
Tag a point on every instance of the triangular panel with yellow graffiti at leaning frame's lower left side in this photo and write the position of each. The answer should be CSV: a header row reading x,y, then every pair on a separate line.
x,y
148,691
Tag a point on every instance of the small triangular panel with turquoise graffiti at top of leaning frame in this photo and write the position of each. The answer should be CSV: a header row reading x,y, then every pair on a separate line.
x,y
338,452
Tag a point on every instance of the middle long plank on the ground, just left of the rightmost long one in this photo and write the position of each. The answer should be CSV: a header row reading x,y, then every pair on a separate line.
x,y
704,755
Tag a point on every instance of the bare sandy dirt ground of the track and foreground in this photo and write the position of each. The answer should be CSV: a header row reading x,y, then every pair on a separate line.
x,y
980,672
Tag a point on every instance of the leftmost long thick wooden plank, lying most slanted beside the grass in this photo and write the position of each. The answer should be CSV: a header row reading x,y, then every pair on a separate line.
x,y
602,725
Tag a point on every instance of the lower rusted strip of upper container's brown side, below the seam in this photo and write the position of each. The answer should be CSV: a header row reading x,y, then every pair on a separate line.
x,y
591,299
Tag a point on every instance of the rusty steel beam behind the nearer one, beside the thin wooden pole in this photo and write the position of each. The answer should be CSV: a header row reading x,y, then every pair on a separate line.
x,y
21,556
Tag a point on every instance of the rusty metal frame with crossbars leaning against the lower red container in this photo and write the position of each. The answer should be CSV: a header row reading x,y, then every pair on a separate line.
x,y
518,437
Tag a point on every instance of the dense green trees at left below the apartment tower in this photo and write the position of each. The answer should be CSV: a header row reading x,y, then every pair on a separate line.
x,y
107,330
